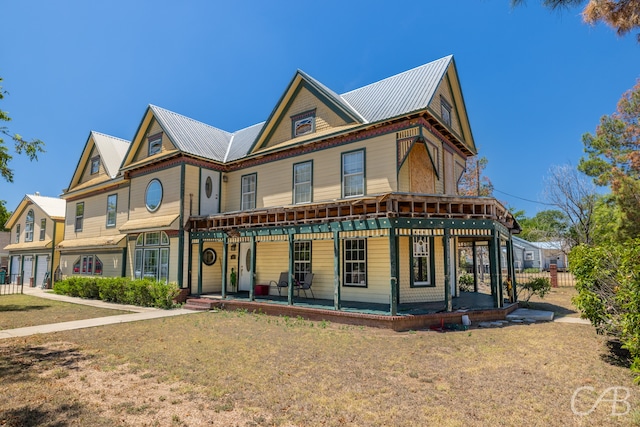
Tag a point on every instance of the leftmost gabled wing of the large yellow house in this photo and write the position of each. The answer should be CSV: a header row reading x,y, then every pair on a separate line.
x,y
97,201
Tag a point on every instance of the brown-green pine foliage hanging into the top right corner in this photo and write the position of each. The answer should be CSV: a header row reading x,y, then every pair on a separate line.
x,y
621,15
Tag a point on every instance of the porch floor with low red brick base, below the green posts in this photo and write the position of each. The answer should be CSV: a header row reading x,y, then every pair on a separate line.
x,y
477,306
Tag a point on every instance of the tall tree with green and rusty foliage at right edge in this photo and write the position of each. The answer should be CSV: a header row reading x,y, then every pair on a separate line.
x,y
613,159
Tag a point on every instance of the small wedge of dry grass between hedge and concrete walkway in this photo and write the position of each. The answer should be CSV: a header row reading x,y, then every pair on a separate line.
x,y
18,311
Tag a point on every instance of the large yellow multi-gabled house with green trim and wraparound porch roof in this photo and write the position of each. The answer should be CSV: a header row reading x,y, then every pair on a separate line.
x,y
359,189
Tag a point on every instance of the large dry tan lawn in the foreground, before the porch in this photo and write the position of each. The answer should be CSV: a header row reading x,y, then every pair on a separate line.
x,y
235,368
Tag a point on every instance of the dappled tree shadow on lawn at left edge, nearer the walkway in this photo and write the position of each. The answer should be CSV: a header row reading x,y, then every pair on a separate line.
x,y
25,363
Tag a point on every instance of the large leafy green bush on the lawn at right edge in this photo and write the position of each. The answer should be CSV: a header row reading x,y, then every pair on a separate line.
x,y
608,284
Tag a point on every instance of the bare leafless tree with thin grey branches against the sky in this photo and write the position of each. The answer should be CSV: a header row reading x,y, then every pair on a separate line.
x,y
576,197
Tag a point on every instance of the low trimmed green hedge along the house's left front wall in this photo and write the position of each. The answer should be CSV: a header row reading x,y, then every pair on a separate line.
x,y
122,290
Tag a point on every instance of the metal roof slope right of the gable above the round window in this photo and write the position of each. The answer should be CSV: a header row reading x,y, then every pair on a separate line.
x,y
191,136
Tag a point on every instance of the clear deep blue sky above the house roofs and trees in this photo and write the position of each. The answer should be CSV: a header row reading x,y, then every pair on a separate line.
x,y
533,81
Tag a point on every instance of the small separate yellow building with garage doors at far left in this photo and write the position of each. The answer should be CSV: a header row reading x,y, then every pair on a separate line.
x,y
36,225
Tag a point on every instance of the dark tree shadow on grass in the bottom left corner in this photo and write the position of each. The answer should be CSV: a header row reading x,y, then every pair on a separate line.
x,y
55,416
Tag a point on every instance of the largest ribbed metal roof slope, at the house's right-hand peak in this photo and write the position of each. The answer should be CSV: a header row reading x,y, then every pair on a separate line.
x,y
401,94
